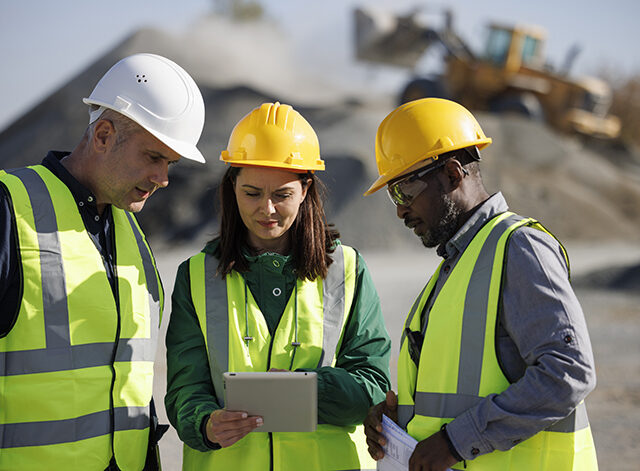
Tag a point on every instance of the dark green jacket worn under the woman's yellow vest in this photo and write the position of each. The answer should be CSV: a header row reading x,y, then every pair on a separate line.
x,y
345,392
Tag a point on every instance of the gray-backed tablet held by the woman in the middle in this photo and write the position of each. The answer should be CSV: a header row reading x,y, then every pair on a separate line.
x,y
287,401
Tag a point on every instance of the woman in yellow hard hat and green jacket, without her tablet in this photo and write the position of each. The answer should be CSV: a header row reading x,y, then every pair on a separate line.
x,y
275,290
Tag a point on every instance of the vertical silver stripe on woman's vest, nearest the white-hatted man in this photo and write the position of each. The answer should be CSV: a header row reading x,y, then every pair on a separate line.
x,y
217,308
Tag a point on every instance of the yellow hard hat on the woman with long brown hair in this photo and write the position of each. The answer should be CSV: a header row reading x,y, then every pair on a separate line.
x,y
274,135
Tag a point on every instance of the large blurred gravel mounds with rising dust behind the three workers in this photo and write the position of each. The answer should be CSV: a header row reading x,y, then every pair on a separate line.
x,y
574,190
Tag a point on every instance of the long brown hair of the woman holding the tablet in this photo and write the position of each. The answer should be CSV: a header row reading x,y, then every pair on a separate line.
x,y
312,239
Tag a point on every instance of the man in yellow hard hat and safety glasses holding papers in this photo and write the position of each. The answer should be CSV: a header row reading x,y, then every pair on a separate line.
x,y
495,358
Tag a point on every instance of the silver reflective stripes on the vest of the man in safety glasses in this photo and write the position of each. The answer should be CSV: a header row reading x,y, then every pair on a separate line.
x,y
472,347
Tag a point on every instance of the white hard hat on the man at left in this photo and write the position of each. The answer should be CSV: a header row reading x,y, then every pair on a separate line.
x,y
157,94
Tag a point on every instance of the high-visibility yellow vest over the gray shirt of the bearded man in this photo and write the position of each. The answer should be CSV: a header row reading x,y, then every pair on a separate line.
x,y
458,364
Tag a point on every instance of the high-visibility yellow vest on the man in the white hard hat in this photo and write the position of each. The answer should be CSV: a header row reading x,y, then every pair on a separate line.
x,y
76,369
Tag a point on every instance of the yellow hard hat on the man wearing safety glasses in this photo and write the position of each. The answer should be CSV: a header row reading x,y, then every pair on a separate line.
x,y
418,132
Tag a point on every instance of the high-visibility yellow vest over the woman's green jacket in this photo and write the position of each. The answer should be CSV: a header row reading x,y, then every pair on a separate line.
x,y
227,311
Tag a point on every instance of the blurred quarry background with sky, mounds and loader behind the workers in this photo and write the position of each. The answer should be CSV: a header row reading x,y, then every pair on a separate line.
x,y
555,84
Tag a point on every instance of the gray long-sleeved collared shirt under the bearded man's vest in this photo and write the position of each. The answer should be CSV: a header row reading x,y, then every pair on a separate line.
x,y
542,341
